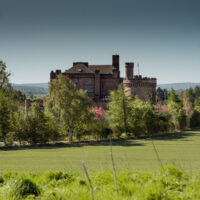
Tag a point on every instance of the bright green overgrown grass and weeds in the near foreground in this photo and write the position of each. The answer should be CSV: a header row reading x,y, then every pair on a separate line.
x,y
169,183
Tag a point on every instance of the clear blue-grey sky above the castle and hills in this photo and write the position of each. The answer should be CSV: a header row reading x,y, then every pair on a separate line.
x,y
37,36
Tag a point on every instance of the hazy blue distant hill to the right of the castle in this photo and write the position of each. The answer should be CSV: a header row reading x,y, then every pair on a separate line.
x,y
178,86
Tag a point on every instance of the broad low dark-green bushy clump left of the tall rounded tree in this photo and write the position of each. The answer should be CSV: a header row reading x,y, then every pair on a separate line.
x,y
34,127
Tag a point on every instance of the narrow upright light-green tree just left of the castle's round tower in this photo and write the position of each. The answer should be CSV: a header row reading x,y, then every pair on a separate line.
x,y
119,111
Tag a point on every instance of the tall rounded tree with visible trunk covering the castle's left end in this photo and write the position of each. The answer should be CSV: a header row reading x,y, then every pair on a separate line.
x,y
68,105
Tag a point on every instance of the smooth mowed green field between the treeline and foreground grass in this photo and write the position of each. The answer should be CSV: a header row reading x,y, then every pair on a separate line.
x,y
181,150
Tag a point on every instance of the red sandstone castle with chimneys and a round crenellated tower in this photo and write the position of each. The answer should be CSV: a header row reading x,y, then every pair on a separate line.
x,y
99,80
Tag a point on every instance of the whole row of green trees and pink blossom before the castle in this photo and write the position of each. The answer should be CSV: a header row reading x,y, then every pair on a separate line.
x,y
69,113
